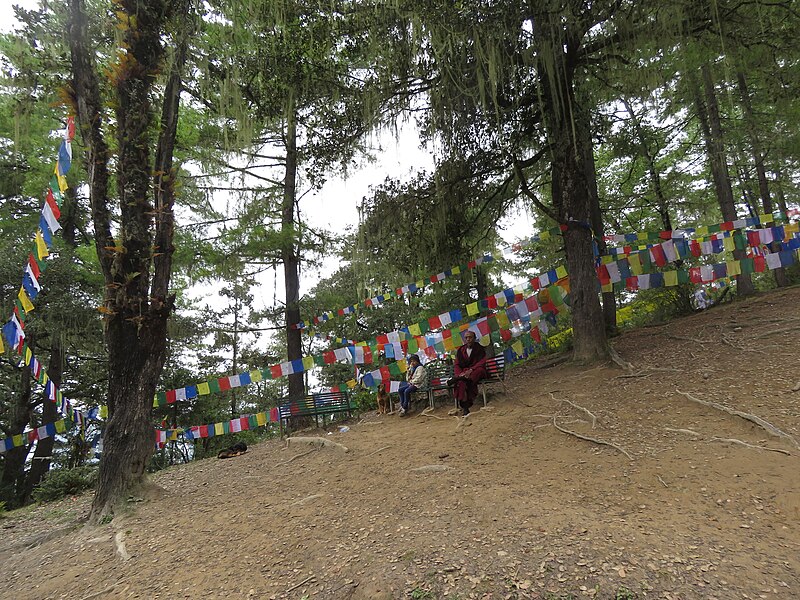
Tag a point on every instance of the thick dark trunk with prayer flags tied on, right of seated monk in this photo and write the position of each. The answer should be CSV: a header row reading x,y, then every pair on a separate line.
x,y
568,134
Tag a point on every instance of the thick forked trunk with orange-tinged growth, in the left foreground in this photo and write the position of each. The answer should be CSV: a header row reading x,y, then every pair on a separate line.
x,y
137,265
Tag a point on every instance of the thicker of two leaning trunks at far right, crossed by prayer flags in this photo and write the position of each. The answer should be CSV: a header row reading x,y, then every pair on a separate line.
x,y
708,114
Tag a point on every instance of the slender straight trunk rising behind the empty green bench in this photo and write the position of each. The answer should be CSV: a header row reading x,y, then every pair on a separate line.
x,y
291,263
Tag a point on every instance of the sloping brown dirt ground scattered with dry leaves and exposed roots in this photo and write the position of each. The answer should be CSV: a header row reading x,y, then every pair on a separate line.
x,y
499,505
